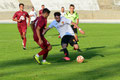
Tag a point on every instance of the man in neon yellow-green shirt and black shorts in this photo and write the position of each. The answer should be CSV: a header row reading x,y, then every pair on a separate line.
x,y
73,15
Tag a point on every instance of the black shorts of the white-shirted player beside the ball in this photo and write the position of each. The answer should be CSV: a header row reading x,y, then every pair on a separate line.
x,y
68,39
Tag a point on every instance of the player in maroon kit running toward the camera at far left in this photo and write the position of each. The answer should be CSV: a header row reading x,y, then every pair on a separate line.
x,y
20,17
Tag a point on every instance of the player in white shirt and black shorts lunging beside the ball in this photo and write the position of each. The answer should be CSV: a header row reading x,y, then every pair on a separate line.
x,y
62,24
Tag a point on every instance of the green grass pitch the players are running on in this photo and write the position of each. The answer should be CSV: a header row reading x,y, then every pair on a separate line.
x,y
100,46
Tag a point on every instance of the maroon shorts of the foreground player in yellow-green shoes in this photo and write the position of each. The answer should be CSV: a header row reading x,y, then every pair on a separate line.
x,y
45,43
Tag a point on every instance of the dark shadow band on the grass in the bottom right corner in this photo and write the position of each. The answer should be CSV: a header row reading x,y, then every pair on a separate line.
x,y
105,72
